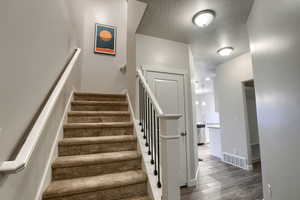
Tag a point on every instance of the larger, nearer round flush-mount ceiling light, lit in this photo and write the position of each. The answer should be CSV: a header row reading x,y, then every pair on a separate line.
x,y
204,18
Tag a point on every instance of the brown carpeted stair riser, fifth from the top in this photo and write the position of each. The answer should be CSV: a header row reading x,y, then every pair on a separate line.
x,y
96,148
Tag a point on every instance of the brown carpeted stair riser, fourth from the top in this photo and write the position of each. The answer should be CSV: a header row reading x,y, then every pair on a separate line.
x,y
94,132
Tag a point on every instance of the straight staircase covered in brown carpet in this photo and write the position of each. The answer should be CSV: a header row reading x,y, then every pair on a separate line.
x,y
98,157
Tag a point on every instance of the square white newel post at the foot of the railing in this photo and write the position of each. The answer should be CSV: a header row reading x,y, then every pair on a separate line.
x,y
169,136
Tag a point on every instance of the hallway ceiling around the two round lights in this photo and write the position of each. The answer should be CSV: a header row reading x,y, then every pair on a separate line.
x,y
172,20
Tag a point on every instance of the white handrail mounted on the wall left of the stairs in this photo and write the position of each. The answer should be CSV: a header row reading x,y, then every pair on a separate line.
x,y
23,157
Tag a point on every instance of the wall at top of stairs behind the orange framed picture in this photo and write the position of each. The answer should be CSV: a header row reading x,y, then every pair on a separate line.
x,y
101,73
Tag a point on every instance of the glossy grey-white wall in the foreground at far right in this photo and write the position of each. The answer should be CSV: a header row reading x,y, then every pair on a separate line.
x,y
275,45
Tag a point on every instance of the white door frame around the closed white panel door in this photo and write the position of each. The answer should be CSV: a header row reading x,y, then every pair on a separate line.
x,y
188,127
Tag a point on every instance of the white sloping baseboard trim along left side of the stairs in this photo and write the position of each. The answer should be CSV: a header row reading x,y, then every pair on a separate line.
x,y
46,178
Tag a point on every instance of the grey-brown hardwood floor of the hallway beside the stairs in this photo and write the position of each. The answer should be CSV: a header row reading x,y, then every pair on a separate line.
x,y
220,181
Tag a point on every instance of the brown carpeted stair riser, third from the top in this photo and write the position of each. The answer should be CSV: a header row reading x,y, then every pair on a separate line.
x,y
98,119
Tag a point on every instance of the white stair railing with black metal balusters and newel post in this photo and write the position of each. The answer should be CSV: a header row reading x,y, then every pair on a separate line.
x,y
160,132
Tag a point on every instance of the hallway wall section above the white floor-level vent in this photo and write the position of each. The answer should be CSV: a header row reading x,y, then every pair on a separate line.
x,y
230,76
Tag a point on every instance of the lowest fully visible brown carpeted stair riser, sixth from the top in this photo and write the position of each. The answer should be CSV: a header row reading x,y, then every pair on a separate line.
x,y
95,169
